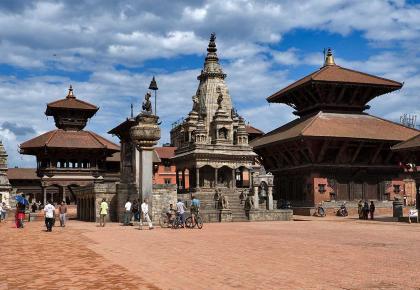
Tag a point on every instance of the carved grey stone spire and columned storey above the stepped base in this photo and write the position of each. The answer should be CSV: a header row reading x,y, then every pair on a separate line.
x,y
212,140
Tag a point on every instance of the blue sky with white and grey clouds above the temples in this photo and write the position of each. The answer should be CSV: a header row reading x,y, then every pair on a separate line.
x,y
109,51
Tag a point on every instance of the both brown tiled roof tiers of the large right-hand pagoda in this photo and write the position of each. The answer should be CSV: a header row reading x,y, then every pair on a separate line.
x,y
331,104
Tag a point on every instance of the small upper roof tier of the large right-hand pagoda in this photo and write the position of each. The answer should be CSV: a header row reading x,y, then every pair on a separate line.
x,y
333,88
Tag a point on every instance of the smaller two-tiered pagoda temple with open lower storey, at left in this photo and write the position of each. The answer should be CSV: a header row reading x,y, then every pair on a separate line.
x,y
69,156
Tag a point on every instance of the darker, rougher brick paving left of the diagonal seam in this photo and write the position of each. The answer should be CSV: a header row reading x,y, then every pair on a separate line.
x,y
31,258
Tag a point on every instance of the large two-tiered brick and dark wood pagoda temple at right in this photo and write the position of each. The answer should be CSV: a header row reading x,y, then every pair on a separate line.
x,y
335,150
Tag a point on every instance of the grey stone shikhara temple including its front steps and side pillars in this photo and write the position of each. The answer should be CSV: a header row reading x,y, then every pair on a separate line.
x,y
212,146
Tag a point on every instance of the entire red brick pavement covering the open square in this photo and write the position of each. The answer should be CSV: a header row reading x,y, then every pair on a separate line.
x,y
330,253
